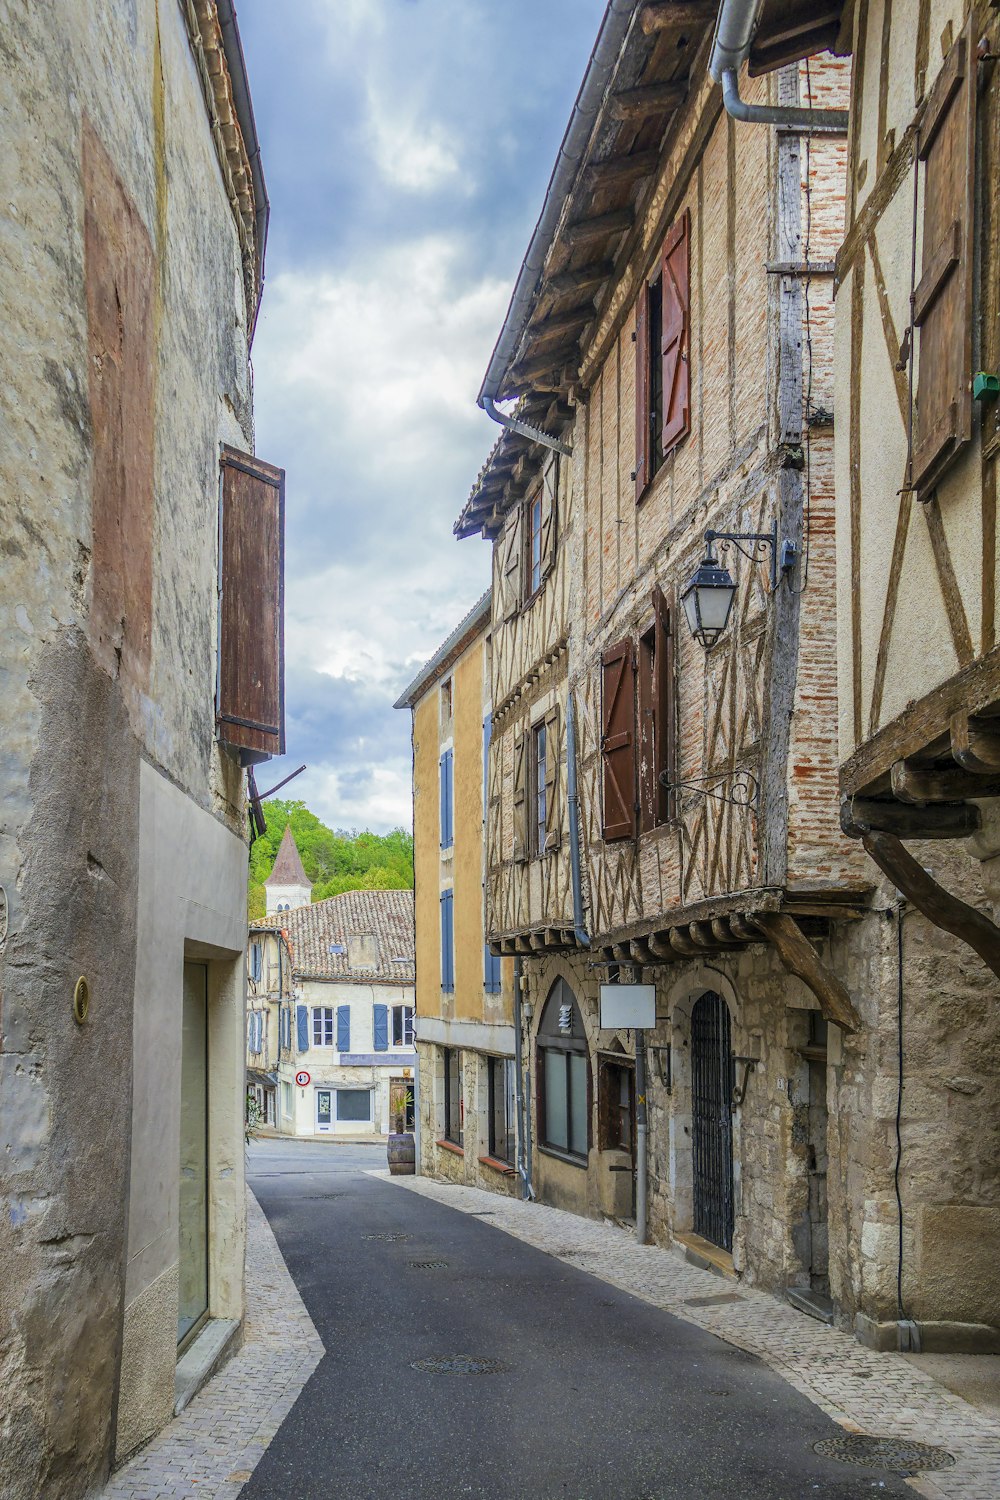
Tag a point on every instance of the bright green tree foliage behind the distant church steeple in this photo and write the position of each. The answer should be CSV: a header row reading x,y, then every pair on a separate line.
x,y
335,862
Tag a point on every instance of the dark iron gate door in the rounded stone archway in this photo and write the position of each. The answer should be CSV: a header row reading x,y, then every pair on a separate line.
x,y
713,1120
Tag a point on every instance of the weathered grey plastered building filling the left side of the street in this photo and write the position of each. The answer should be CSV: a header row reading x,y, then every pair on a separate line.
x,y
142,658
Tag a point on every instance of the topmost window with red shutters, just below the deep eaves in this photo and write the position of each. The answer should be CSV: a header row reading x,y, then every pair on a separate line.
x,y
663,376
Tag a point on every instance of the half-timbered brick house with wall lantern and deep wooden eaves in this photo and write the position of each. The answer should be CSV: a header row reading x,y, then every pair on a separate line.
x,y
671,347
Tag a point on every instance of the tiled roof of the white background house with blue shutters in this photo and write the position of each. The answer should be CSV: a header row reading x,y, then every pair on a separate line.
x,y
383,917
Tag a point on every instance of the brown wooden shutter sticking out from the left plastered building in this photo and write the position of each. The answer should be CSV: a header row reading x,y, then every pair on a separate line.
x,y
251,685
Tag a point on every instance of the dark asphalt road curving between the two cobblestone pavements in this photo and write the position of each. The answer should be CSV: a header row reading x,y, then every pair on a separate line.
x,y
600,1397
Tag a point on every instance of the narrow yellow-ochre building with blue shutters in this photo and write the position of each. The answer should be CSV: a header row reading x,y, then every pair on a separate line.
x,y
467,1040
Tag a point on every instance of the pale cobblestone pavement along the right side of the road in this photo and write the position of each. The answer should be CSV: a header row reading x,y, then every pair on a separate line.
x,y
884,1396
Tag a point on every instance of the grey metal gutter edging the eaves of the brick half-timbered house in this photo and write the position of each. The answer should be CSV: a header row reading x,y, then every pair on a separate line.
x,y
618,20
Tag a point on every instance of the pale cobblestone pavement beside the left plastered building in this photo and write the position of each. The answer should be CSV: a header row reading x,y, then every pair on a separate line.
x,y
211,1450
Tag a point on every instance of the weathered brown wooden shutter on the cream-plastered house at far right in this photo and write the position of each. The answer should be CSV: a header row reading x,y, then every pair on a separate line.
x,y
944,301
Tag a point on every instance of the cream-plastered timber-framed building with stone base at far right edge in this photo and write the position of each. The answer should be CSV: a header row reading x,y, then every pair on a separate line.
x,y
918,436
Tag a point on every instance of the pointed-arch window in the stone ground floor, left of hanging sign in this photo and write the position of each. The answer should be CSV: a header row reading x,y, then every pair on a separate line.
x,y
564,1076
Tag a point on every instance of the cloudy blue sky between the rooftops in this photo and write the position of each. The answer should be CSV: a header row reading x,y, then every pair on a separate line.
x,y
407,148
